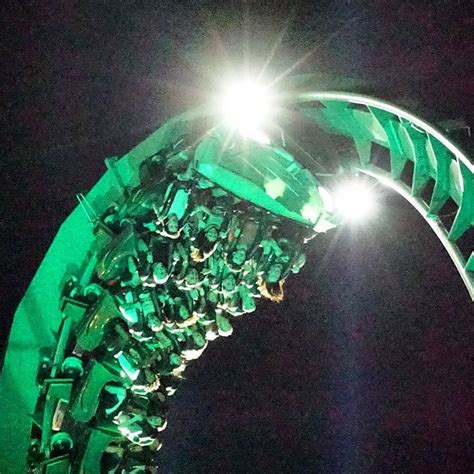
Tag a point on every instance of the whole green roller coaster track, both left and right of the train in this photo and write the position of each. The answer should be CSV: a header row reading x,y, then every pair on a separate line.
x,y
438,165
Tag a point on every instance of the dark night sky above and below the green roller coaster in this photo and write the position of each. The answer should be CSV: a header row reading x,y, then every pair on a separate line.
x,y
366,366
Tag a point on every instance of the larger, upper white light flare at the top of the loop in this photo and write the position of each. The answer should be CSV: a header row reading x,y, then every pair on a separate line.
x,y
247,107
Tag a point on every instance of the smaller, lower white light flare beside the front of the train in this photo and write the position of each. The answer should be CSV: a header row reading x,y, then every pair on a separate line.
x,y
355,201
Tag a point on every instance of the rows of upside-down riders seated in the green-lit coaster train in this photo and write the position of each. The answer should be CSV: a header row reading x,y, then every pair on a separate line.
x,y
182,258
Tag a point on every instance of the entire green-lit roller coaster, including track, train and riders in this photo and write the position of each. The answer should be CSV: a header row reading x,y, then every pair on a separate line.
x,y
182,234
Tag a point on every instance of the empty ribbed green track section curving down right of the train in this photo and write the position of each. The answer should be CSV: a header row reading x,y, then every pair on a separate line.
x,y
408,138
